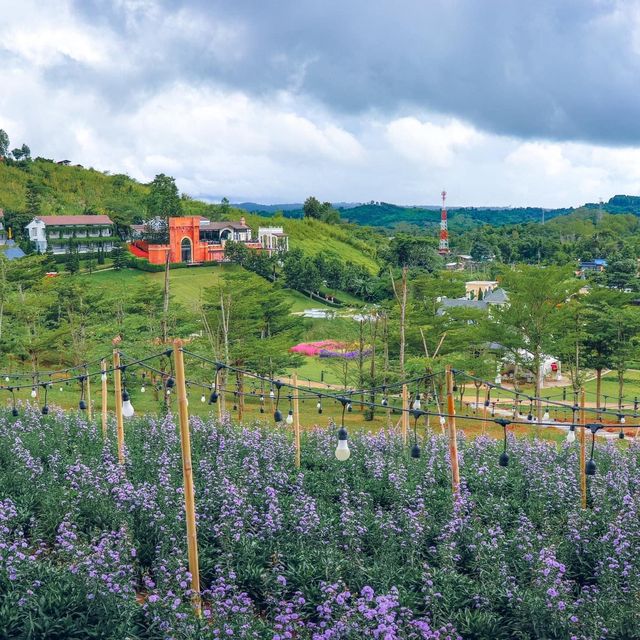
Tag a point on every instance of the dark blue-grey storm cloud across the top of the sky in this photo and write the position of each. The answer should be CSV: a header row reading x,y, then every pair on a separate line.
x,y
558,70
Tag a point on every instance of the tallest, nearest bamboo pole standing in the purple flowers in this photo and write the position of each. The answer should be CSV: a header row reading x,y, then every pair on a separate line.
x,y
187,472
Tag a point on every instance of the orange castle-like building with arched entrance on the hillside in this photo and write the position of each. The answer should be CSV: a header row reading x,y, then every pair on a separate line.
x,y
194,240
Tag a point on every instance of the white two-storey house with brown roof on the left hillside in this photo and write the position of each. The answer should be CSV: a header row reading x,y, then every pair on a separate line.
x,y
59,233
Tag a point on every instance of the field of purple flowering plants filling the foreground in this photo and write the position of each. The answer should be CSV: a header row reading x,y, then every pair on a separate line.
x,y
374,547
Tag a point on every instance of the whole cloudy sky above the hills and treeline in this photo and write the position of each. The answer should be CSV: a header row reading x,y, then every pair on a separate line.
x,y
501,102
